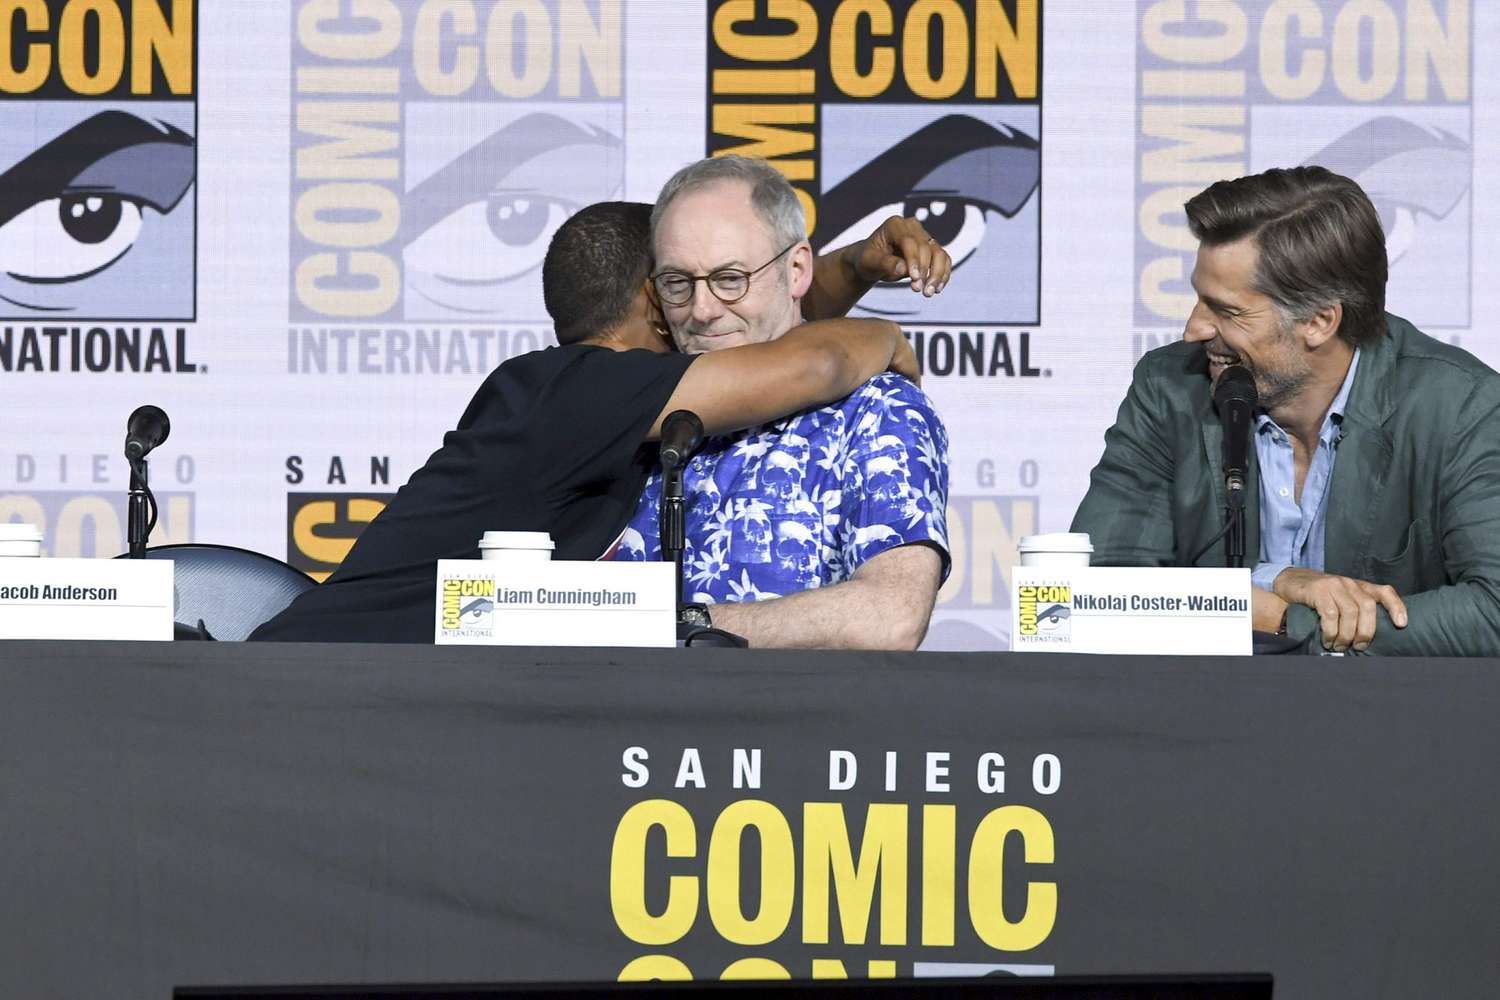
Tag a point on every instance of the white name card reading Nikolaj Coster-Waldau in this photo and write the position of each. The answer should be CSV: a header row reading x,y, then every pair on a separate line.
x,y
1151,611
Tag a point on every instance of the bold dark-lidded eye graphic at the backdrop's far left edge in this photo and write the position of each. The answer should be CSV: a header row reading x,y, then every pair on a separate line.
x,y
77,206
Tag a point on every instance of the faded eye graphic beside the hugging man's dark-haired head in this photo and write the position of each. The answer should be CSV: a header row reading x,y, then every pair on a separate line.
x,y
487,218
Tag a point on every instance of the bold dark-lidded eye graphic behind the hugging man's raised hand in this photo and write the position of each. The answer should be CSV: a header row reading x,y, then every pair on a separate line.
x,y
958,176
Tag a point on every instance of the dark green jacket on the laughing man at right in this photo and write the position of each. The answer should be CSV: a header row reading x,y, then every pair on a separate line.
x,y
1414,503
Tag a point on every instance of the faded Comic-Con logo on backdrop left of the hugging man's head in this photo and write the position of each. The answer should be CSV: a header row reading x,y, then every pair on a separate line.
x,y
437,146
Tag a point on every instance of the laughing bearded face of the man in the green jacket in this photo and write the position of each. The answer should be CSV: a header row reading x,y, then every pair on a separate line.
x,y
1241,326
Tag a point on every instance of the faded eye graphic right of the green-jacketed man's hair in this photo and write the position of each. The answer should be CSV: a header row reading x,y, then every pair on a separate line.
x,y
1408,172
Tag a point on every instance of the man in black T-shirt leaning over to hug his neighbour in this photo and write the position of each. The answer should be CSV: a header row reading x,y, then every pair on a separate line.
x,y
554,440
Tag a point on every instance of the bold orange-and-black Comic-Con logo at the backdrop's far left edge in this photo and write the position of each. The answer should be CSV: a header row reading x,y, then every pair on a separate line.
x,y
98,161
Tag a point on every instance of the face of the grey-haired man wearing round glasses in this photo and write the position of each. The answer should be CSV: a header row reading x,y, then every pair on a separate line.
x,y
715,227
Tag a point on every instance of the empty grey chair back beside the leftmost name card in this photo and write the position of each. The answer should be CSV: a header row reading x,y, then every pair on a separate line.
x,y
227,591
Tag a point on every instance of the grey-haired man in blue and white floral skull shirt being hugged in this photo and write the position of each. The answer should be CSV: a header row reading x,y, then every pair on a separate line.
x,y
826,528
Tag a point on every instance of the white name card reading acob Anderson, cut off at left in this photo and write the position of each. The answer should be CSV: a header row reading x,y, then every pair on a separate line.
x,y
86,599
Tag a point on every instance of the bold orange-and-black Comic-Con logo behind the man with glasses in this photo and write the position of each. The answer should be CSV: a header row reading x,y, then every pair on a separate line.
x,y
871,110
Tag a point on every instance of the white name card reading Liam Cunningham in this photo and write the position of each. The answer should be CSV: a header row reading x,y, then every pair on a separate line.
x,y
487,603
